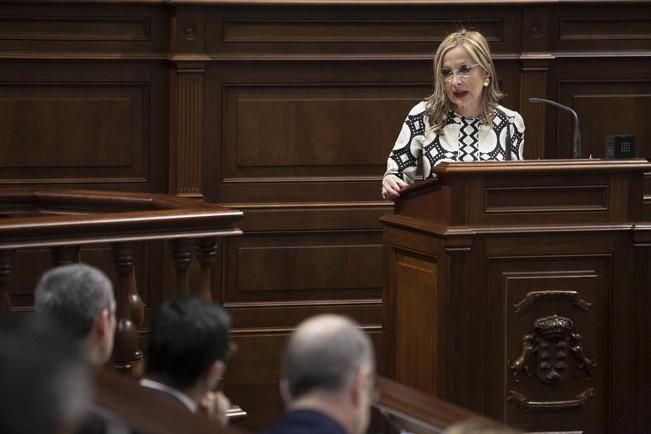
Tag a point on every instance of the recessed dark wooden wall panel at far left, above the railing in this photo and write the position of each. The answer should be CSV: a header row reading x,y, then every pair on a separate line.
x,y
85,130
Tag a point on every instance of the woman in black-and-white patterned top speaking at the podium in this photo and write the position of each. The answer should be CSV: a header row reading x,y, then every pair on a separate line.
x,y
461,121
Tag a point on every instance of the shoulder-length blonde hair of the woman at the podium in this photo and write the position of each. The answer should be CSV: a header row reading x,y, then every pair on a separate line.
x,y
438,103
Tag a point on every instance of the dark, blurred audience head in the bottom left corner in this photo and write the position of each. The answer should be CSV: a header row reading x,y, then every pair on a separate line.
x,y
44,380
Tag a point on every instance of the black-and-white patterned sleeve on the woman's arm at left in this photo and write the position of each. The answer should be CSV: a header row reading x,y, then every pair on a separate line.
x,y
403,159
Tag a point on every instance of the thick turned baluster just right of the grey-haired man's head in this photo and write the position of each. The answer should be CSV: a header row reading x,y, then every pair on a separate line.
x,y
127,355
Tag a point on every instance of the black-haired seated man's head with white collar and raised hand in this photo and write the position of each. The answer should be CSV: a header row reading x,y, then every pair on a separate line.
x,y
187,352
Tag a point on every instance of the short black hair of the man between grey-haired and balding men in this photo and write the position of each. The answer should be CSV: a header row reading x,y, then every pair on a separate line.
x,y
187,336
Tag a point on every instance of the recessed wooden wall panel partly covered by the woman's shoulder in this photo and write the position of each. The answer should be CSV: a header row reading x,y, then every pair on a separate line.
x,y
311,130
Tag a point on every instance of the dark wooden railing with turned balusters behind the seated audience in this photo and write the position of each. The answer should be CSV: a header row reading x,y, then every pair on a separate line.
x,y
65,220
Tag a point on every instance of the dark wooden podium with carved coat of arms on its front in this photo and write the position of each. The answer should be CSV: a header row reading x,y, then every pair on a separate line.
x,y
519,290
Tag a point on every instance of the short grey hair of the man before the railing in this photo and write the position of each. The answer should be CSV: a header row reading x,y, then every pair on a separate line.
x,y
73,296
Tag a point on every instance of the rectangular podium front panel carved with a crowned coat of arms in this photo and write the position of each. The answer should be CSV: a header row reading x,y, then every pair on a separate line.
x,y
548,347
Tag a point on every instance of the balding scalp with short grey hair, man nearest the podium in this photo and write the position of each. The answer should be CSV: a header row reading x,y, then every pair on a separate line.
x,y
325,353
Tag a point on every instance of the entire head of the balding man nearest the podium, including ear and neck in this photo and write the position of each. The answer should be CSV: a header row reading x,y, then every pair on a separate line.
x,y
329,367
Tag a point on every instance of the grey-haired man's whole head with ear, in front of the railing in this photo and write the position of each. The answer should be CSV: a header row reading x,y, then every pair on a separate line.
x,y
79,298
